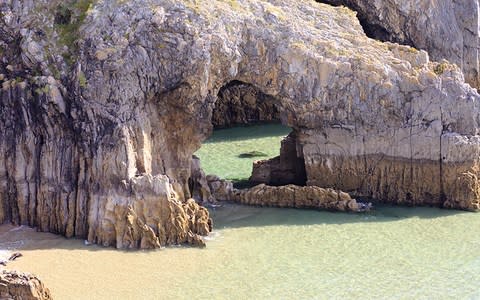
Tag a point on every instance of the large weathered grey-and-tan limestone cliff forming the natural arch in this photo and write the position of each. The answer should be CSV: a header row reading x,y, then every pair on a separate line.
x,y
101,112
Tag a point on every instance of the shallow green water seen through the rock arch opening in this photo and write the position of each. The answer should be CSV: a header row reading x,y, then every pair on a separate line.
x,y
220,154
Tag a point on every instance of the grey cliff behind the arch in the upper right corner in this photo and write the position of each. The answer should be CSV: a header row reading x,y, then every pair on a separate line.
x,y
445,29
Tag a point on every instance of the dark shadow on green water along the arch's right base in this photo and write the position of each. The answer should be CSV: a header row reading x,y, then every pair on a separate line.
x,y
236,216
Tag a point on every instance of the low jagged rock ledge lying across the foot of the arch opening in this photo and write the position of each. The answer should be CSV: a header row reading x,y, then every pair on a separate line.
x,y
293,196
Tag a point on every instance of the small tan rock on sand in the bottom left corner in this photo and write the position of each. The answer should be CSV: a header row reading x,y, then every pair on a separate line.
x,y
15,285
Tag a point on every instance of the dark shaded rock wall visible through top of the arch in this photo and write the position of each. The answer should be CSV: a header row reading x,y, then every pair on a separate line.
x,y
242,104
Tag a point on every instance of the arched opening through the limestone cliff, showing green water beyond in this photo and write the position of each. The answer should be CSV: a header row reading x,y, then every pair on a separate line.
x,y
249,144
